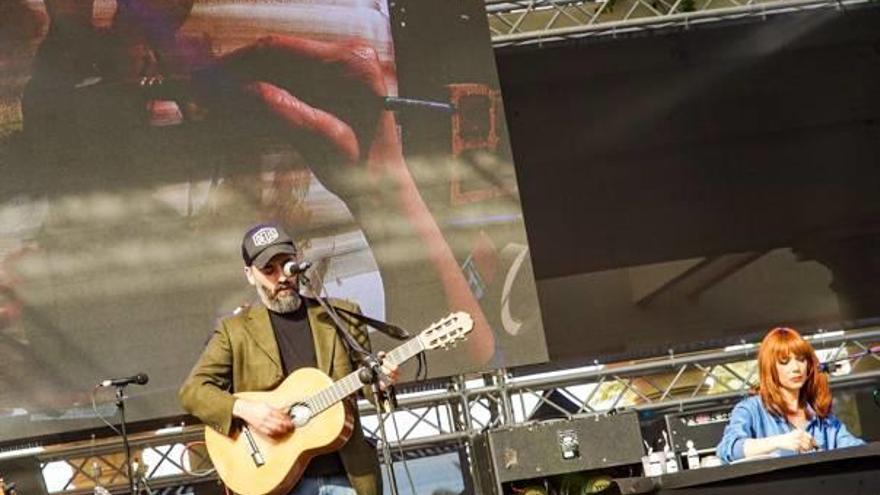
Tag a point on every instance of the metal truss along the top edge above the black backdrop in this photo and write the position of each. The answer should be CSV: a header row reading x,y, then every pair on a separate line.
x,y
522,22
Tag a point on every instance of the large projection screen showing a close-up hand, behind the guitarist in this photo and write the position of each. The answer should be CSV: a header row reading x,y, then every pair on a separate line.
x,y
139,140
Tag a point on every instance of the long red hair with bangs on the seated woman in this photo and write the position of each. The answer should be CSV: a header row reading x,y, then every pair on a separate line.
x,y
784,343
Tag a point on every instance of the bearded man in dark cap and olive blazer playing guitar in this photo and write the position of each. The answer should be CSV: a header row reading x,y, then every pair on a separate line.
x,y
255,349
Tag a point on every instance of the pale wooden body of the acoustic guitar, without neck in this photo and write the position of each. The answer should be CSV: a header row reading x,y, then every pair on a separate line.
x,y
285,457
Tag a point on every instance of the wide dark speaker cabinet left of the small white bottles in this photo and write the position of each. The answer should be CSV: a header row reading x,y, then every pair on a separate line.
x,y
555,447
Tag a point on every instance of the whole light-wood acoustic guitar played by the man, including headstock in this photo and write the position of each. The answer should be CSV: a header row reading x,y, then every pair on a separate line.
x,y
254,464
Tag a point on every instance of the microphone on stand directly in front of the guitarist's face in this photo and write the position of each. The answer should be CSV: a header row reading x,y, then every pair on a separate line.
x,y
370,373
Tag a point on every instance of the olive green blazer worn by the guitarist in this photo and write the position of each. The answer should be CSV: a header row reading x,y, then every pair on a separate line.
x,y
242,356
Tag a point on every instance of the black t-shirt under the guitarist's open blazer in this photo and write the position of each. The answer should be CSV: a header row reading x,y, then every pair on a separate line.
x,y
297,348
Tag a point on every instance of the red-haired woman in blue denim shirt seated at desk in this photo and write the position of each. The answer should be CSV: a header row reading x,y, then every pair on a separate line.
x,y
791,411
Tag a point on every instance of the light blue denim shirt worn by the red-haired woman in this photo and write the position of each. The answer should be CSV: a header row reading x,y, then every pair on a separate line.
x,y
750,419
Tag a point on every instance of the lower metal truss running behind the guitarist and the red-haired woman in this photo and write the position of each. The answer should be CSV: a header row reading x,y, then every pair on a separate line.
x,y
443,420
